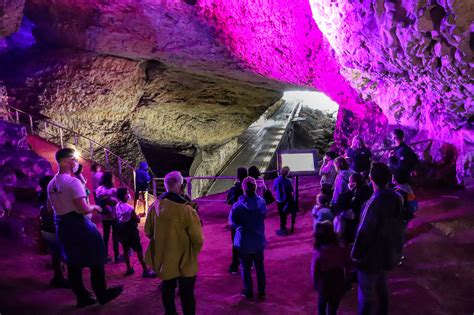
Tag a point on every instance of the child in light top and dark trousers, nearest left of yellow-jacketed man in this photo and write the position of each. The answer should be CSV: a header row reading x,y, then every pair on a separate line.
x,y
128,232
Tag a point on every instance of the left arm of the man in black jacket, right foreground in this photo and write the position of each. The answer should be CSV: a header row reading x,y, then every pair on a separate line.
x,y
366,232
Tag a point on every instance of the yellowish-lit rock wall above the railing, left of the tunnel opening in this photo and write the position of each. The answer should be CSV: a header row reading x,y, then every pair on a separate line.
x,y
134,108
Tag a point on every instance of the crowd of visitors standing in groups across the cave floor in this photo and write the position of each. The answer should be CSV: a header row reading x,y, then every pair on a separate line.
x,y
360,219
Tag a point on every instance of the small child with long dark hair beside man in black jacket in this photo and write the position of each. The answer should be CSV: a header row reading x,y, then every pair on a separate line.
x,y
329,268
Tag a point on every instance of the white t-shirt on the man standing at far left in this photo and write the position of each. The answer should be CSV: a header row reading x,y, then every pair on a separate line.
x,y
62,190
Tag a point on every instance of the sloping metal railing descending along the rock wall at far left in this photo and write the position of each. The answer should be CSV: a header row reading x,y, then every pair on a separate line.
x,y
61,136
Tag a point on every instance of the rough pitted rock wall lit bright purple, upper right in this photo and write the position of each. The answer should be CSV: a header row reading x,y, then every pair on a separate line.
x,y
412,59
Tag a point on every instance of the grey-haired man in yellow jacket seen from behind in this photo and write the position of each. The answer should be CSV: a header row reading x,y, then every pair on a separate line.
x,y
175,234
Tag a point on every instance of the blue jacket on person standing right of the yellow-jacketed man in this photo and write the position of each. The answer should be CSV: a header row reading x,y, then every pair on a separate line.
x,y
248,215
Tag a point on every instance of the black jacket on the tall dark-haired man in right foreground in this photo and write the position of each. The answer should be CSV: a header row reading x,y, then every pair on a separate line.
x,y
379,239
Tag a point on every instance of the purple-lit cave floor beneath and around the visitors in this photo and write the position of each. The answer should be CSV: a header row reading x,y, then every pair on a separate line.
x,y
436,278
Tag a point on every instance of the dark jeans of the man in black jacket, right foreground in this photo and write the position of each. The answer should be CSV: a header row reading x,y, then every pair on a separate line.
x,y
373,293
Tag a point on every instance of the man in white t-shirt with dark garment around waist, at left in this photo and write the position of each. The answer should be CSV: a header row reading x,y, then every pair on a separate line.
x,y
79,238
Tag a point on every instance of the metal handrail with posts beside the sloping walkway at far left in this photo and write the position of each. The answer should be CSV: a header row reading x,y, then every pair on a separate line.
x,y
121,163
